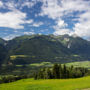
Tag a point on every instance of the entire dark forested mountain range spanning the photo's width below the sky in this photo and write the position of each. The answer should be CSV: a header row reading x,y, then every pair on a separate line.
x,y
29,49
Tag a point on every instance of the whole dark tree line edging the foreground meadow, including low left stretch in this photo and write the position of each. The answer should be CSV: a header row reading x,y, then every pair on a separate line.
x,y
58,71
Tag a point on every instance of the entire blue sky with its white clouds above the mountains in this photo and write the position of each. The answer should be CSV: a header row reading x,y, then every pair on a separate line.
x,y
58,17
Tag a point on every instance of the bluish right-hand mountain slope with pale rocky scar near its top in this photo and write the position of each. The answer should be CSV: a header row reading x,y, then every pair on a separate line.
x,y
75,44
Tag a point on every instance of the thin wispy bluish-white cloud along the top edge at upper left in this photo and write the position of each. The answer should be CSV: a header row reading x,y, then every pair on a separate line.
x,y
19,4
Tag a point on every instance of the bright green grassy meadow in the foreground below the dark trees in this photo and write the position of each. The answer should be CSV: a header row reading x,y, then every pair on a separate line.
x,y
57,84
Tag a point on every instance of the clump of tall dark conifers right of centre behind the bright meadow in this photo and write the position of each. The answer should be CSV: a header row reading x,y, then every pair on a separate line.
x,y
59,71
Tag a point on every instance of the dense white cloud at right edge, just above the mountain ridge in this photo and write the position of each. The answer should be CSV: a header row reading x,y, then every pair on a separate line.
x,y
82,28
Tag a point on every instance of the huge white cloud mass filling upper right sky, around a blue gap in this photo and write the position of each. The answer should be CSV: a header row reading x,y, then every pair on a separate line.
x,y
57,9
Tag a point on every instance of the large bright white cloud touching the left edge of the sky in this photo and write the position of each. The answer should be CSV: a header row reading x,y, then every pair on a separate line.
x,y
14,19
